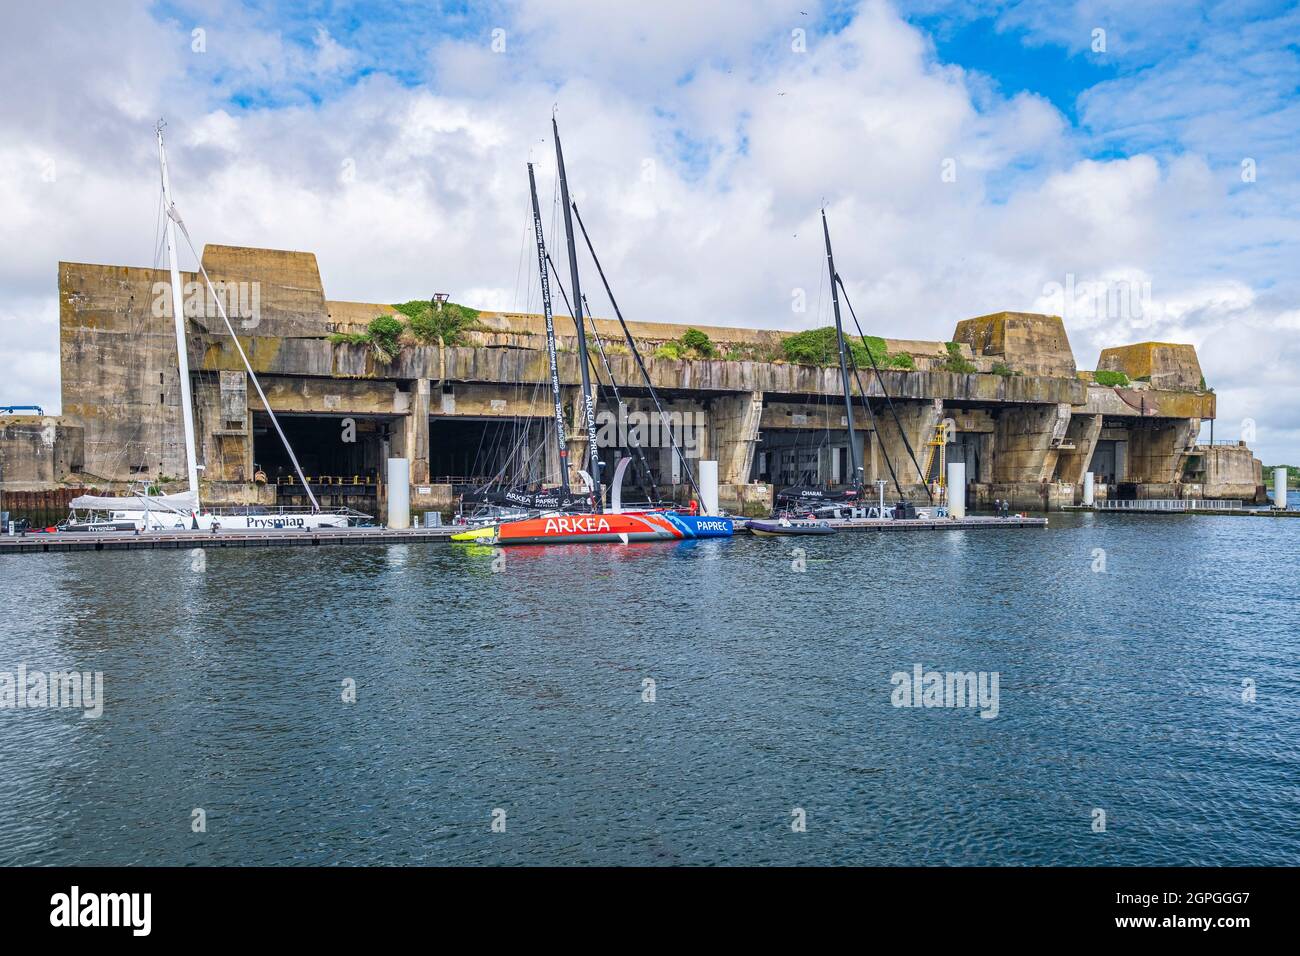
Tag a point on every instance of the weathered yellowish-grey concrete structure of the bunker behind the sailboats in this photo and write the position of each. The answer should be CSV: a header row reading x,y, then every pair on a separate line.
x,y
120,384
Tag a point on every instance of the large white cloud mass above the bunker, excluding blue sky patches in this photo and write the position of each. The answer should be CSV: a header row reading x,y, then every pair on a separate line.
x,y
700,148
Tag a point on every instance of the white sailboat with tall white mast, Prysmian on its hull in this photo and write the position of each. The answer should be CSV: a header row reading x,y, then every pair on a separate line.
x,y
185,512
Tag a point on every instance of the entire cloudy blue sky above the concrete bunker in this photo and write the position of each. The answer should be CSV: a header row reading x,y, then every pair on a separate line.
x,y
701,139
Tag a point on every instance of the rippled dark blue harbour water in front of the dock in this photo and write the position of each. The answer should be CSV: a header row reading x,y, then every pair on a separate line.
x,y
1146,669
